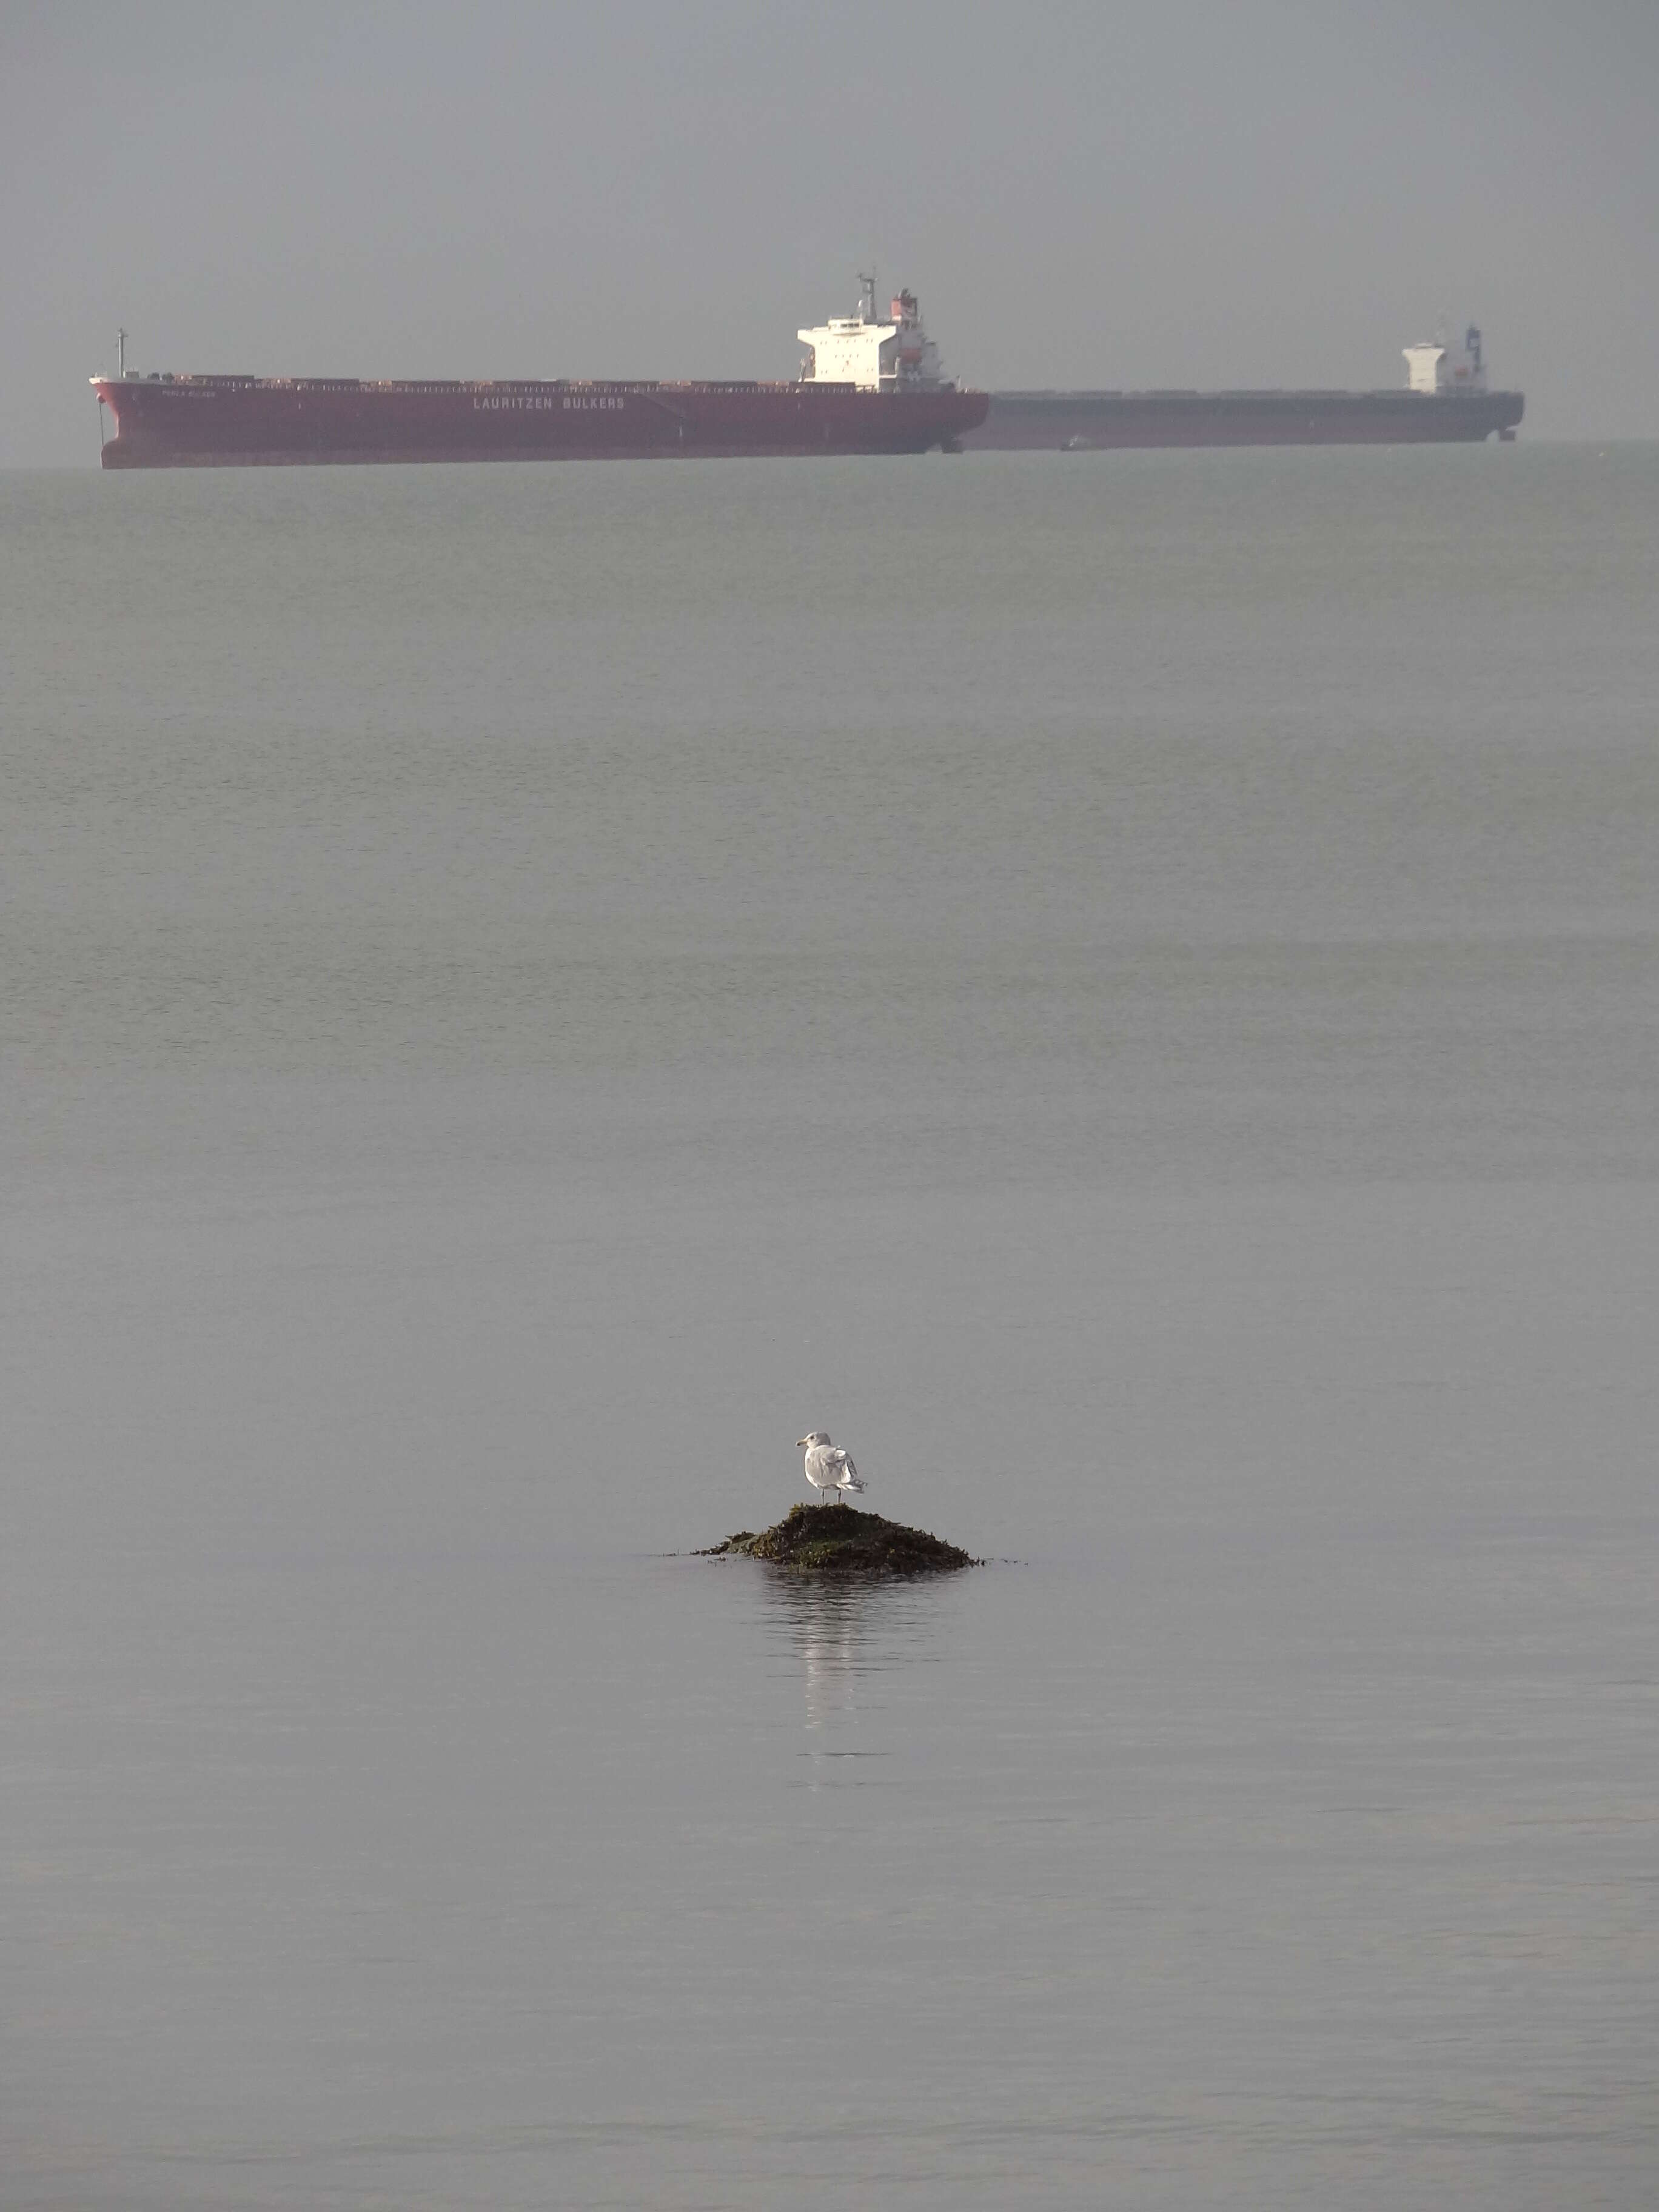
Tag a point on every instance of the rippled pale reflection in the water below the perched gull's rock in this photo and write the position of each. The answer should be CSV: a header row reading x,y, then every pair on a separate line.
x,y
851,1645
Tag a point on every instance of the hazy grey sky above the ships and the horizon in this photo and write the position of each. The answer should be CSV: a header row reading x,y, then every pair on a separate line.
x,y
1145,194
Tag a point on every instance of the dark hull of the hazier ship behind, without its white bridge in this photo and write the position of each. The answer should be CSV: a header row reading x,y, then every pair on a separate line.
x,y
1078,421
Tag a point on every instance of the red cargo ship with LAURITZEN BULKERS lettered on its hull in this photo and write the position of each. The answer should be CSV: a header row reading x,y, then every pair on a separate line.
x,y
868,386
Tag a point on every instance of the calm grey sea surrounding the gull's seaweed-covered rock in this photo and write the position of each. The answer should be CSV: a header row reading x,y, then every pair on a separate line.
x,y
1127,990
